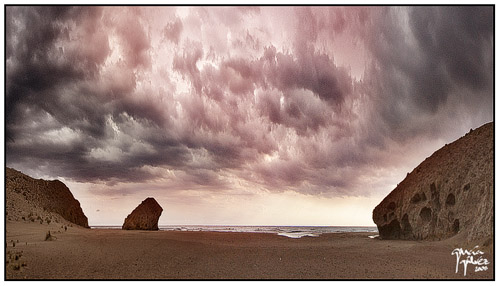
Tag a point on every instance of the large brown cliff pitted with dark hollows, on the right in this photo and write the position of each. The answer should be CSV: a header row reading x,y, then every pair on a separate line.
x,y
449,194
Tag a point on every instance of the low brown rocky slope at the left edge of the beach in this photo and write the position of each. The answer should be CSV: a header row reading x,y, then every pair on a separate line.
x,y
27,197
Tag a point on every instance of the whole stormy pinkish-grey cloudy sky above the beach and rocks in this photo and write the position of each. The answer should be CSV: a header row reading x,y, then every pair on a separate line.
x,y
241,115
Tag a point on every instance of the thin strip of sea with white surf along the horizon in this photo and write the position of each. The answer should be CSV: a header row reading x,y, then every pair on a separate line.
x,y
288,231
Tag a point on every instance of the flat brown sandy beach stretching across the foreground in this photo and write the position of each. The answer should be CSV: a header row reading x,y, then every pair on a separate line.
x,y
80,253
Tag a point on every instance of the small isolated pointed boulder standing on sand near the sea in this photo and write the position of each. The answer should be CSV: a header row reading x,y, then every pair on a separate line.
x,y
145,216
